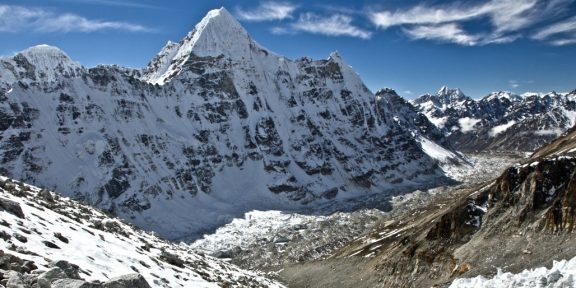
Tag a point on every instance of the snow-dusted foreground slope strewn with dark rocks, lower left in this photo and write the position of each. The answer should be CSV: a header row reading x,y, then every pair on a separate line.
x,y
45,237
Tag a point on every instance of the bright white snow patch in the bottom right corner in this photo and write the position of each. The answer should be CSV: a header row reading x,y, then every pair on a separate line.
x,y
560,275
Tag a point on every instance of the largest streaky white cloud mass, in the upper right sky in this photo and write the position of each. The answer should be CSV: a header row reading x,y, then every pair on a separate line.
x,y
508,20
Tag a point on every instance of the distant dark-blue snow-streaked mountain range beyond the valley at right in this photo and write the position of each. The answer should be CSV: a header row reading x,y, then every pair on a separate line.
x,y
500,121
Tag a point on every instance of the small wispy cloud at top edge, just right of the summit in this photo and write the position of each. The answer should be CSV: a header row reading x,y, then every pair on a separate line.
x,y
267,11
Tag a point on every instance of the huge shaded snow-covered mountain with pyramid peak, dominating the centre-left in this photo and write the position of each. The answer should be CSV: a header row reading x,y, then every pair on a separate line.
x,y
215,126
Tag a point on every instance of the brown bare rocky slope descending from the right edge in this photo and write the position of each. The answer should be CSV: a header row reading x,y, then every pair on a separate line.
x,y
523,219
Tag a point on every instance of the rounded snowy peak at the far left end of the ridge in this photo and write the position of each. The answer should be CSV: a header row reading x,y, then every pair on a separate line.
x,y
41,64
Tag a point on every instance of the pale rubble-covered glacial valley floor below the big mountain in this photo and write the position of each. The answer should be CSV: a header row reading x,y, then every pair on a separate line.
x,y
276,241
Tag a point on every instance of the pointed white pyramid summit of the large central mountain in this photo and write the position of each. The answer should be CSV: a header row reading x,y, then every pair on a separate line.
x,y
218,34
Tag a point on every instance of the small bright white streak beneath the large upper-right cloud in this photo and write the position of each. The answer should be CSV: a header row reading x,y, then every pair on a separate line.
x,y
446,33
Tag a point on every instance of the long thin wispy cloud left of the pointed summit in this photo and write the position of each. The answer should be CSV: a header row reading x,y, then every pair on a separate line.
x,y
14,19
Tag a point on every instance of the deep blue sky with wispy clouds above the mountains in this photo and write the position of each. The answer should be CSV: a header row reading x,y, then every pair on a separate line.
x,y
413,47
